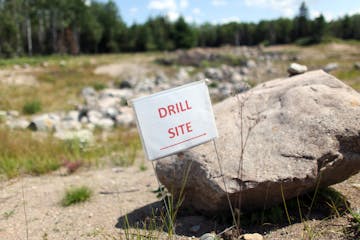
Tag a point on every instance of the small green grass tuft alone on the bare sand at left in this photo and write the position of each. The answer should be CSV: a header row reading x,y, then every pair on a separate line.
x,y
76,195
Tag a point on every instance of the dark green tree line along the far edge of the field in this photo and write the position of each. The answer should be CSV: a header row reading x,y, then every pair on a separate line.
x,y
38,27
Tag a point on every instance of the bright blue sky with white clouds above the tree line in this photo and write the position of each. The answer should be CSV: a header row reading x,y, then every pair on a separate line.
x,y
223,11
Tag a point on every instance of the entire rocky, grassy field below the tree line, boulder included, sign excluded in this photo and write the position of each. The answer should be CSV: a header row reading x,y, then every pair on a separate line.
x,y
66,122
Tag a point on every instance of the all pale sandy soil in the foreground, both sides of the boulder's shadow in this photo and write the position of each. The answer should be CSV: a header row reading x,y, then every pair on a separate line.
x,y
121,191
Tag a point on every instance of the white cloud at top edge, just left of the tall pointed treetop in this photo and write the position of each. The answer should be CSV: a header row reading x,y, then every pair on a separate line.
x,y
286,7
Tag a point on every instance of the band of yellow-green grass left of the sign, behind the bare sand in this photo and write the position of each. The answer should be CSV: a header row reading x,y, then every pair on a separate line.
x,y
29,153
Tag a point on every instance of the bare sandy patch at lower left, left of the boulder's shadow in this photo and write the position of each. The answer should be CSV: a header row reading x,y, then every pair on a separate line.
x,y
115,193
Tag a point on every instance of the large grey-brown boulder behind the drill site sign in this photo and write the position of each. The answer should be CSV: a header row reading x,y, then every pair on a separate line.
x,y
297,132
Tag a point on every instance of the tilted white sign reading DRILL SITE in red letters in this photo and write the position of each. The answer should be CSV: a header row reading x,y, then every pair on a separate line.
x,y
174,120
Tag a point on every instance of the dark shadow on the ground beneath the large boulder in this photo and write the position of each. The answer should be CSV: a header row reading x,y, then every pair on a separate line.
x,y
188,223
